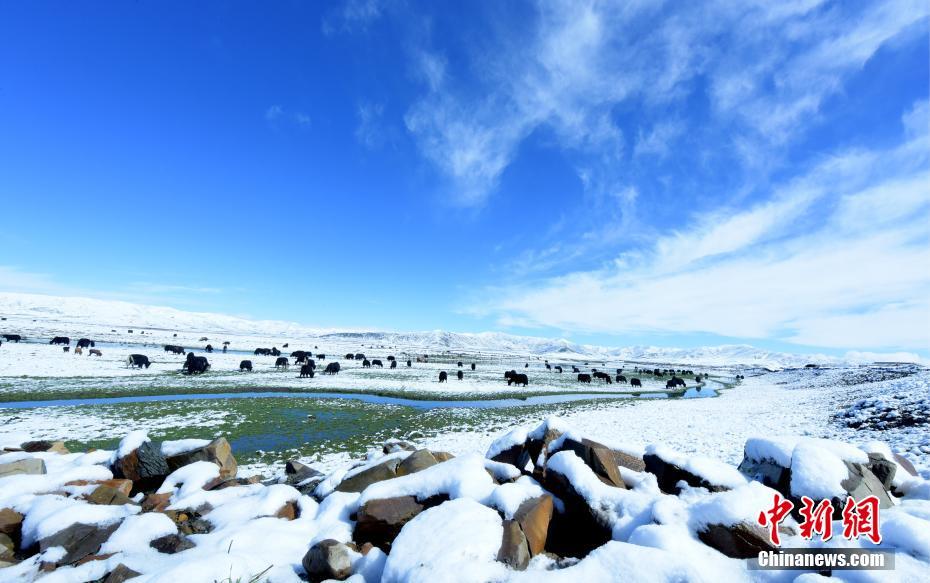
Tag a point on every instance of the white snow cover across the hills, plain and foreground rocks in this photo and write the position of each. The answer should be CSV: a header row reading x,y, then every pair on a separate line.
x,y
879,407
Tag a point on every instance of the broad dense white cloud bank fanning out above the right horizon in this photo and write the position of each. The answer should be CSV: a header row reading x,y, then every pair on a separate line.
x,y
856,276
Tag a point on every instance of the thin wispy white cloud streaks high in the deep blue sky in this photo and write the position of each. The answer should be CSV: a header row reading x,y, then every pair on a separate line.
x,y
768,68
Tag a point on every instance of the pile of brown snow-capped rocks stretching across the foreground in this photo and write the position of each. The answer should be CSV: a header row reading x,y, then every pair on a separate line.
x,y
544,502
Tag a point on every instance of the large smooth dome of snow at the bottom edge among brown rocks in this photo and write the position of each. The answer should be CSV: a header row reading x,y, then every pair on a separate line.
x,y
456,541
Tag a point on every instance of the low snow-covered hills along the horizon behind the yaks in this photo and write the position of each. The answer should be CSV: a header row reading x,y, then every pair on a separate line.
x,y
40,313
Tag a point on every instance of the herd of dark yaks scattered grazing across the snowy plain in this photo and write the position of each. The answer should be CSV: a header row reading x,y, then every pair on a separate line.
x,y
307,362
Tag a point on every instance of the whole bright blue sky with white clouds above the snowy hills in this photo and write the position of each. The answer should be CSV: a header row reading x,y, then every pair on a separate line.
x,y
617,172
